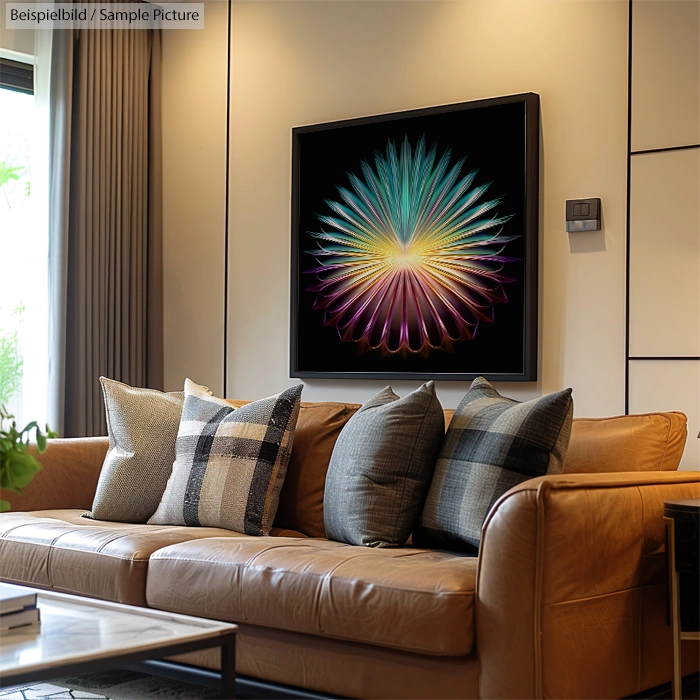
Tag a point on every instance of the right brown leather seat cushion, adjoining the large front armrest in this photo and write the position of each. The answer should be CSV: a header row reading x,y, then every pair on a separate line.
x,y
411,599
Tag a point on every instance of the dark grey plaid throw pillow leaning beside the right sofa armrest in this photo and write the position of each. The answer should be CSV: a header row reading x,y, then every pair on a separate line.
x,y
493,443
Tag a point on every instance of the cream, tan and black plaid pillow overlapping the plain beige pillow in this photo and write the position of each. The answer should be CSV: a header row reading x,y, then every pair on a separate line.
x,y
230,463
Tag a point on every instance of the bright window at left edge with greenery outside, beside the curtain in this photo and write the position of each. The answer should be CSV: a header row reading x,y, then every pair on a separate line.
x,y
23,252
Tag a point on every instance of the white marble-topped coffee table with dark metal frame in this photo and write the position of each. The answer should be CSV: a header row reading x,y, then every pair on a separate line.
x,y
80,635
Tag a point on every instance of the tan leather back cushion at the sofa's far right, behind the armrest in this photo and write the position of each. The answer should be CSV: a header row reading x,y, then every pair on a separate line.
x,y
637,443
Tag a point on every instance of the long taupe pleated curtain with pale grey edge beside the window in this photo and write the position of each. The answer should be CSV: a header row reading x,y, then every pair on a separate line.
x,y
105,221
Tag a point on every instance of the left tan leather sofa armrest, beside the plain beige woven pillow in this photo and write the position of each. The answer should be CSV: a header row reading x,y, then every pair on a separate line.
x,y
71,468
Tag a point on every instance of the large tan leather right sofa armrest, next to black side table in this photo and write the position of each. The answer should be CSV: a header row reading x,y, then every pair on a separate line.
x,y
571,588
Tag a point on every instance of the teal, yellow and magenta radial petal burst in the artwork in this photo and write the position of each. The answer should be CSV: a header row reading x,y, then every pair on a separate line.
x,y
411,258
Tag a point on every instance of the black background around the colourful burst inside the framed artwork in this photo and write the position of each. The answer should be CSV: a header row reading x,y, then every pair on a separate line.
x,y
493,140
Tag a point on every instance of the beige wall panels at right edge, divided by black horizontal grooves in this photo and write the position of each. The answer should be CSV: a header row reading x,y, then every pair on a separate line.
x,y
663,234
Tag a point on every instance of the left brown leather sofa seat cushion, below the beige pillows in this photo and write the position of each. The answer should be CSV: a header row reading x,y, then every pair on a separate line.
x,y
60,550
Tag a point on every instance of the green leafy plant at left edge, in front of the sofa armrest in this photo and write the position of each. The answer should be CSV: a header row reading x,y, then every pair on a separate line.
x,y
17,466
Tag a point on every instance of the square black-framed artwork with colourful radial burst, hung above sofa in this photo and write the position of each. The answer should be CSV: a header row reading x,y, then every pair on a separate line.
x,y
415,244
